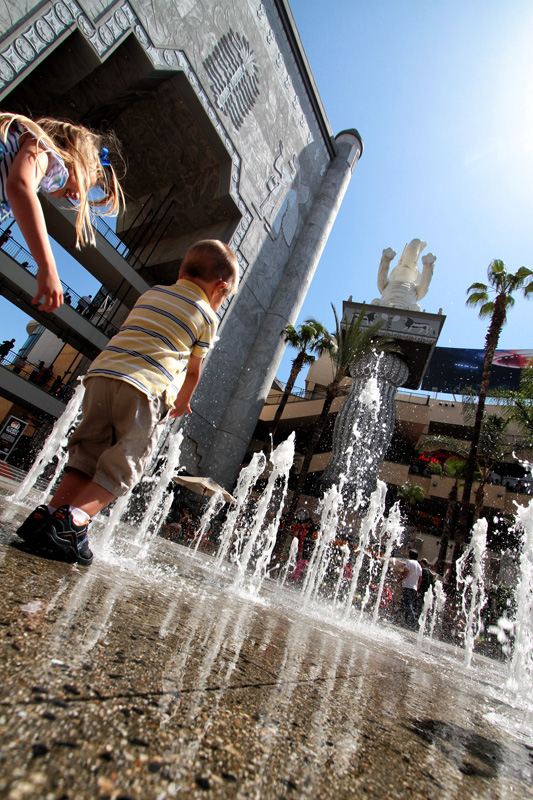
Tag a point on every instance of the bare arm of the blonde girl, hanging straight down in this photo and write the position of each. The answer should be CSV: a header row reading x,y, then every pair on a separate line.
x,y
22,183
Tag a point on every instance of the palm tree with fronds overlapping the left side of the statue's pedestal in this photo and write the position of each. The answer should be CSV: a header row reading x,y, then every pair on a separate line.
x,y
353,343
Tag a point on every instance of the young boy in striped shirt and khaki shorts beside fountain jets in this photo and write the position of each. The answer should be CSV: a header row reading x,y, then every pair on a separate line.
x,y
130,389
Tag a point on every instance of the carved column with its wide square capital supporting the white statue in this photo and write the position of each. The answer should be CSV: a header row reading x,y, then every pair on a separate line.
x,y
365,423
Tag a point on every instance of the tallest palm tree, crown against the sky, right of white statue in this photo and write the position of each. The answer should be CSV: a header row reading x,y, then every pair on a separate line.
x,y
503,284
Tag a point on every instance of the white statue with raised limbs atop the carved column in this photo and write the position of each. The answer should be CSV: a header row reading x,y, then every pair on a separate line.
x,y
405,285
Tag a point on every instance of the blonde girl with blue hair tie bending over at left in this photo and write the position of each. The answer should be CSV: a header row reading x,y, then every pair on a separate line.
x,y
64,160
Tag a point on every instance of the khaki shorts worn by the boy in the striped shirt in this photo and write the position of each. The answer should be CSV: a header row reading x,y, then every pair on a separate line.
x,y
117,435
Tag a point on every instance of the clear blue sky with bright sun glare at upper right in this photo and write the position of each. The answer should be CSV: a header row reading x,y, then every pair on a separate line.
x,y
442,95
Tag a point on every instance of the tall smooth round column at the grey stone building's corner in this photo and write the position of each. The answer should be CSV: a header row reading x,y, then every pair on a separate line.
x,y
228,447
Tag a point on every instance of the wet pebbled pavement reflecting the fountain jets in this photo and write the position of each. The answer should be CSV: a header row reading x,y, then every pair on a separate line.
x,y
153,679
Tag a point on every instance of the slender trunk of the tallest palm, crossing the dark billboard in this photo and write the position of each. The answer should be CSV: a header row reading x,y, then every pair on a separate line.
x,y
491,342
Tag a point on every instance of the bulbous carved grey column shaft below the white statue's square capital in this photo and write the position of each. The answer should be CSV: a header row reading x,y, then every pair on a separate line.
x,y
365,424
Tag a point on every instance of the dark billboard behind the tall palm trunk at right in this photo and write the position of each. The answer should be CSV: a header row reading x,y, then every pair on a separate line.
x,y
452,369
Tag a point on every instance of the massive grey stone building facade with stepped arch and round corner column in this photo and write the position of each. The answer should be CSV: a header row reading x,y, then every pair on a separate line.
x,y
224,136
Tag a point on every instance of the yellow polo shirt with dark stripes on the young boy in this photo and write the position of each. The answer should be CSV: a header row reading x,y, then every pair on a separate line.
x,y
151,350
